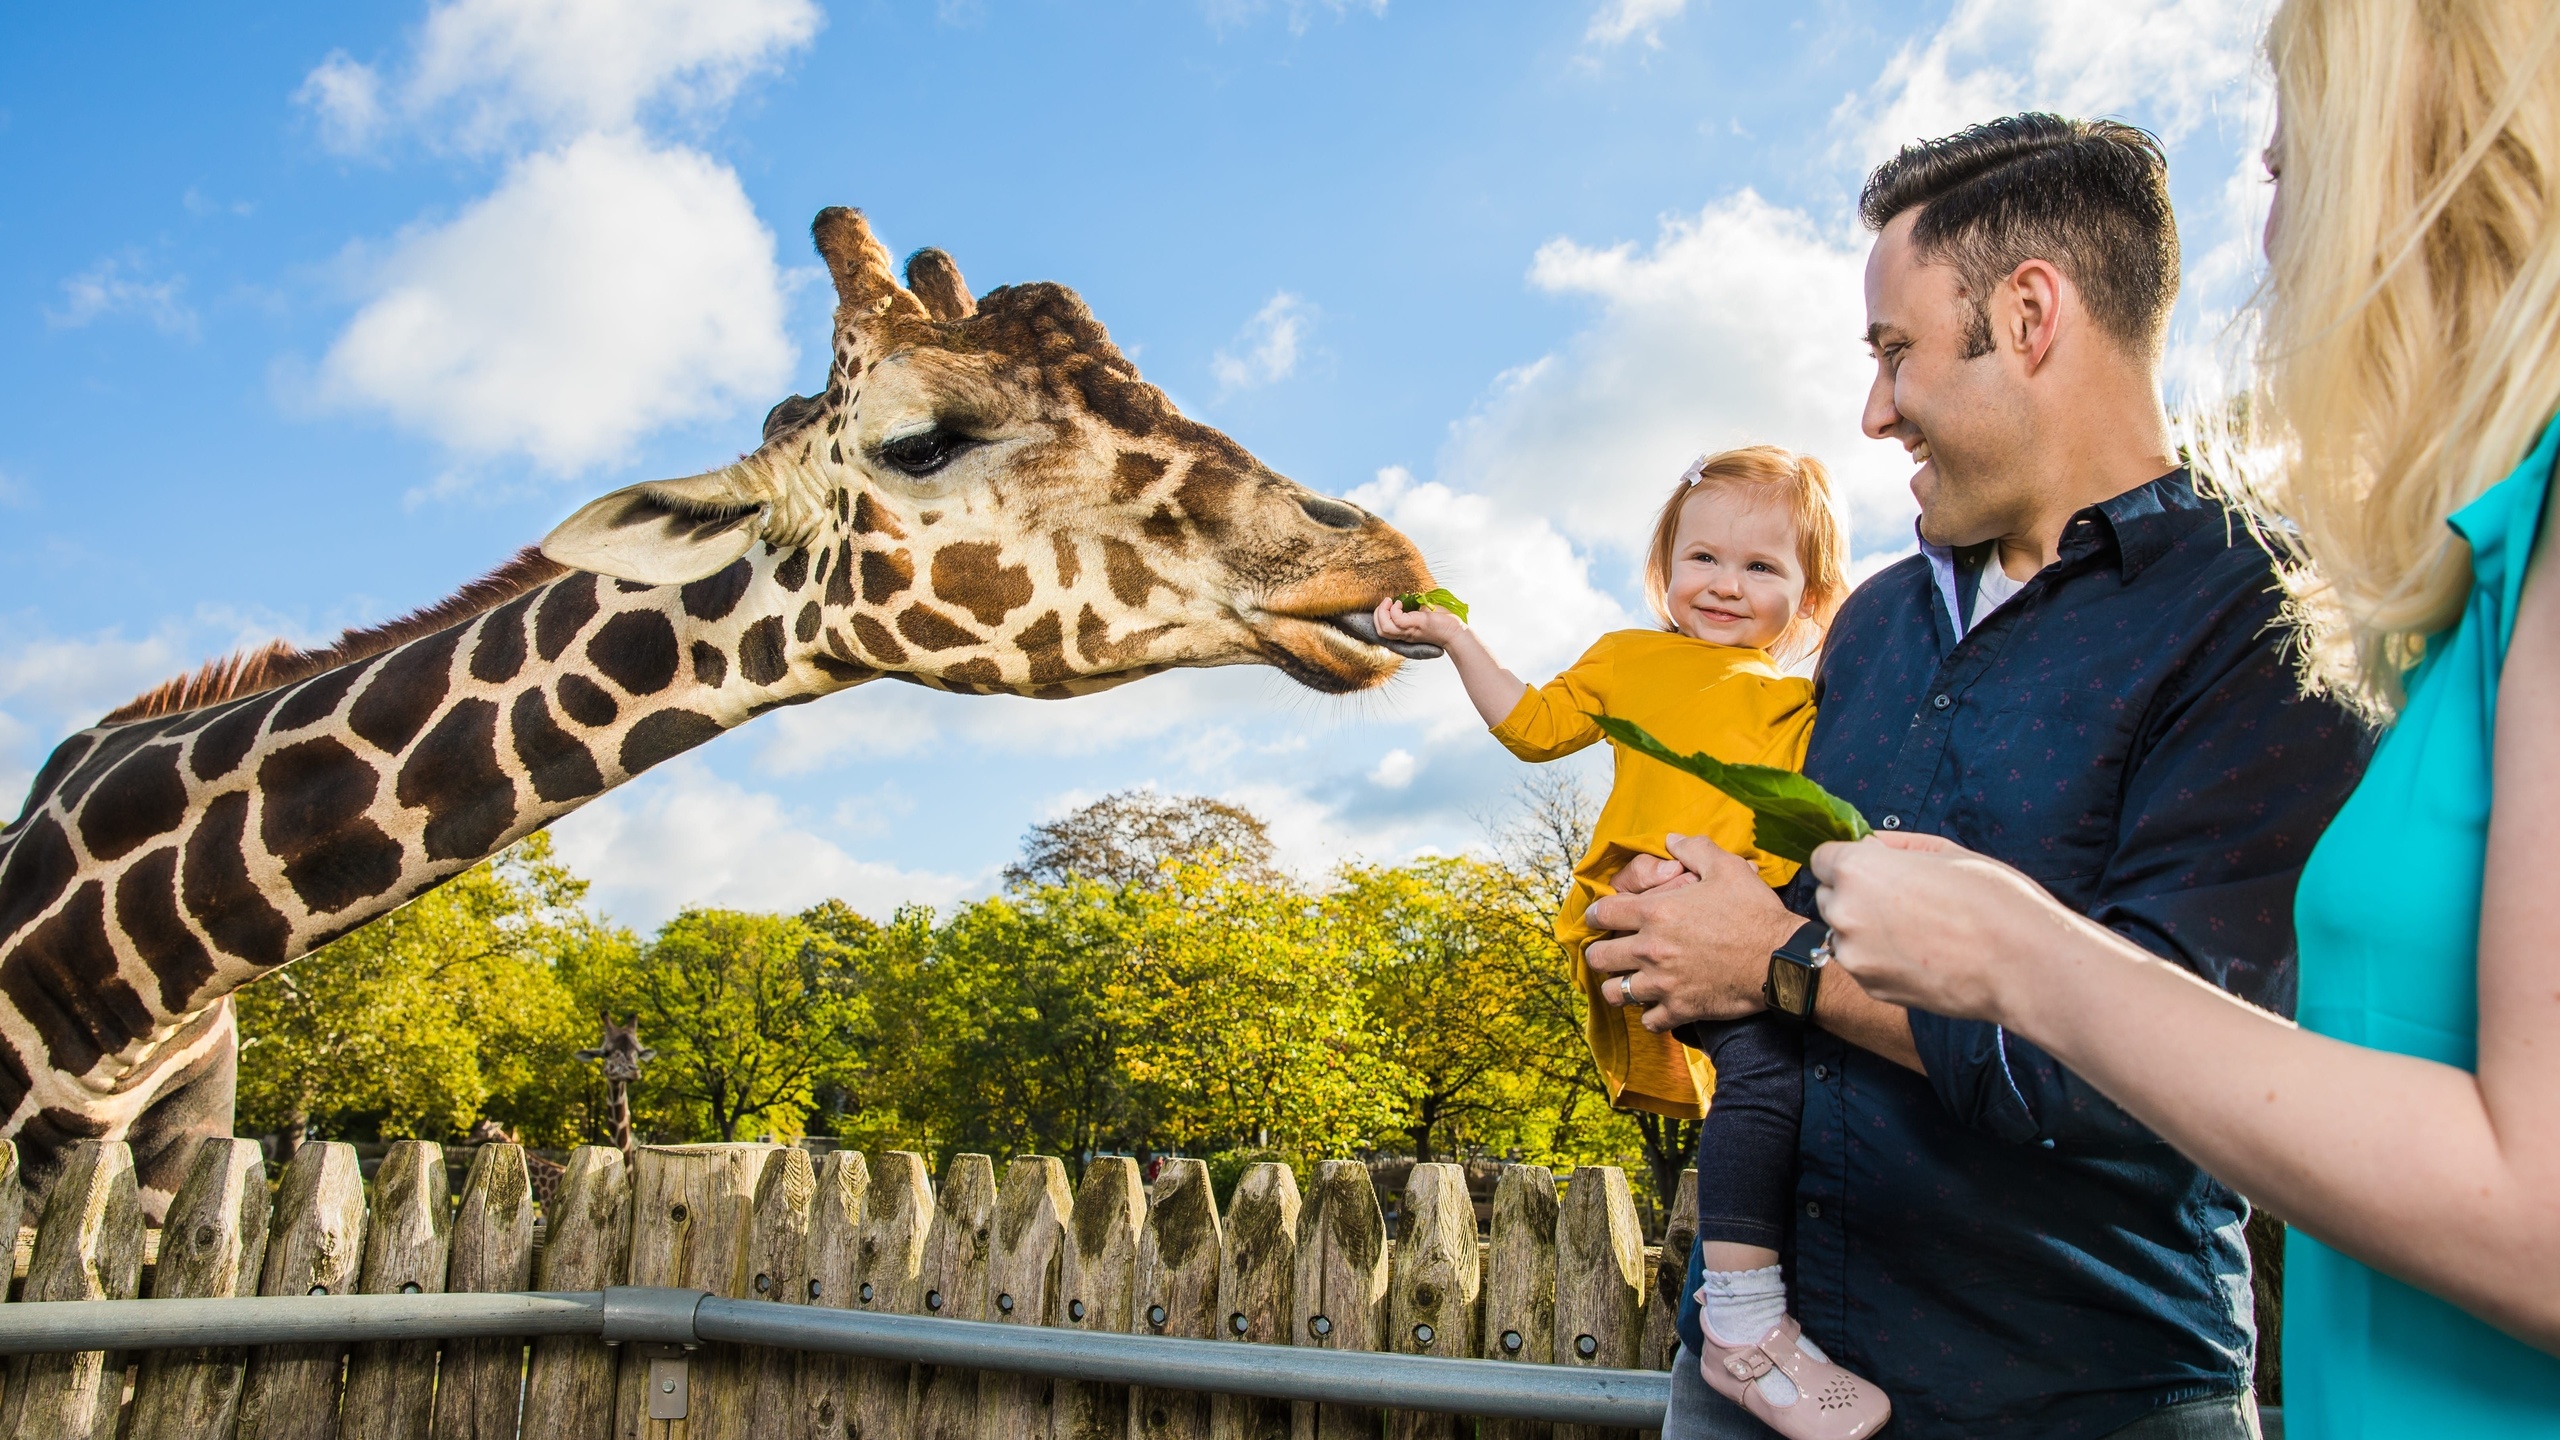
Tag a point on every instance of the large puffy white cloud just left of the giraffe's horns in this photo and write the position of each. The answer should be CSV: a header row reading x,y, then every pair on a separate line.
x,y
603,291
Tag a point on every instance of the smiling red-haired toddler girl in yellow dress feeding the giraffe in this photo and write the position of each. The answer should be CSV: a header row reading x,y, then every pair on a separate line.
x,y
1745,573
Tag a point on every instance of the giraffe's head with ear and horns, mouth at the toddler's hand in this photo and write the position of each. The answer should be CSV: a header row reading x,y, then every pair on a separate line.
x,y
1000,503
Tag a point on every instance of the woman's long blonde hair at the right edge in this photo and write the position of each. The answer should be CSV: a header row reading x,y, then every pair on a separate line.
x,y
2410,324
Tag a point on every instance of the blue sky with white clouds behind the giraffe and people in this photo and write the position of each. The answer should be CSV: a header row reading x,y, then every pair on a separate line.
x,y
314,314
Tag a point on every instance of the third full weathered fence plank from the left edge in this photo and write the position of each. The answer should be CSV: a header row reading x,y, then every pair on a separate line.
x,y
314,1247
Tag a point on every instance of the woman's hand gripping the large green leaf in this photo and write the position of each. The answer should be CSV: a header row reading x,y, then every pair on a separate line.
x,y
1932,926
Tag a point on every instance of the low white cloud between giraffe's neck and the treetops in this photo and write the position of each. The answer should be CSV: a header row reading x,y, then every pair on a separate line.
x,y
687,837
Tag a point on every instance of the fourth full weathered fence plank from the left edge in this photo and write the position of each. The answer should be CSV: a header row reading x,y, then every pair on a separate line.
x,y
390,1385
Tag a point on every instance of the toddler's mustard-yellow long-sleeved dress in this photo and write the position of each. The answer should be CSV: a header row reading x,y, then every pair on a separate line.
x,y
1691,696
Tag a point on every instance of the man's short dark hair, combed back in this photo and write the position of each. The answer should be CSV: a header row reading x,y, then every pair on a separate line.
x,y
2088,196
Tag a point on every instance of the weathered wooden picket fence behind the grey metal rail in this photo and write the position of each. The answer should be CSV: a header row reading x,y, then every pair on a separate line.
x,y
1563,1280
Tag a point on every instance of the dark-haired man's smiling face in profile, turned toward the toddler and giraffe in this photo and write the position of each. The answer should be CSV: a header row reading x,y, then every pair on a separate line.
x,y
1957,414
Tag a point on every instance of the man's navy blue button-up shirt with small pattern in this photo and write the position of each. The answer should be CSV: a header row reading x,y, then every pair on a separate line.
x,y
1998,1244
